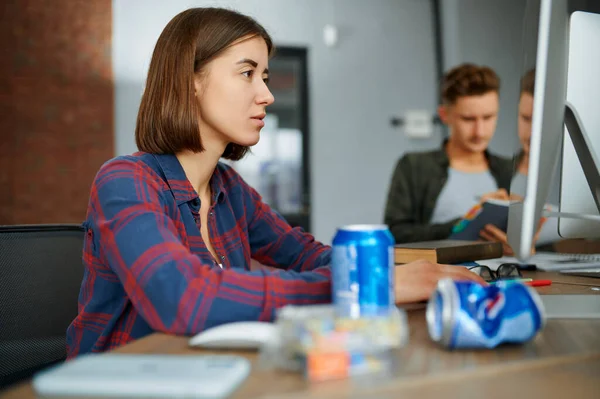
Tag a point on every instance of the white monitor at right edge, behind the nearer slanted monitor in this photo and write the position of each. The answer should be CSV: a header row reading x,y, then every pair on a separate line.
x,y
580,188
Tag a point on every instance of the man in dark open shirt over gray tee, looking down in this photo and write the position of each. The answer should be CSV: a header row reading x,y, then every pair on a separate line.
x,y
430,191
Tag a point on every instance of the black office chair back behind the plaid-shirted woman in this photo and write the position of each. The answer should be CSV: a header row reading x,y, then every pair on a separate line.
x,y
41,271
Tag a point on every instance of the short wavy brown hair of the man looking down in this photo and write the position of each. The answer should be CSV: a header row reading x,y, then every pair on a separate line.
x,y
468,80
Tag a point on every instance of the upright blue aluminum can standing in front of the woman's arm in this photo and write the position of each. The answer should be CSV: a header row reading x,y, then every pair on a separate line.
x,y
362,266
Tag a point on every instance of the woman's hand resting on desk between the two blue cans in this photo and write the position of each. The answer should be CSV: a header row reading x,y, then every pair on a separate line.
x,y
417,280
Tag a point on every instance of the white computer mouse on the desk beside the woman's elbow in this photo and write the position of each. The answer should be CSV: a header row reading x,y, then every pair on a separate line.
x,y
237,335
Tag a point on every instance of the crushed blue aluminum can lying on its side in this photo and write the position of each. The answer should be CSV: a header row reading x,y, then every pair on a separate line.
x,y
463,314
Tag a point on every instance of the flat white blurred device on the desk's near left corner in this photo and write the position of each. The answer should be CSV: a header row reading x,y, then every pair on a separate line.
x,y
140,375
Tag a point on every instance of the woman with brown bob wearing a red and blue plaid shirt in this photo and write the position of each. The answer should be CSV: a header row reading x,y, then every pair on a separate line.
x,y
171,230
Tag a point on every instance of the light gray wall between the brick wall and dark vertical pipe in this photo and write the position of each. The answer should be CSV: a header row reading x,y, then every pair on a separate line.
x,y
383,65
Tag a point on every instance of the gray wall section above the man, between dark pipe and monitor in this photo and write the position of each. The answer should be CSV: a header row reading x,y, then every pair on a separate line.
x,y
490,32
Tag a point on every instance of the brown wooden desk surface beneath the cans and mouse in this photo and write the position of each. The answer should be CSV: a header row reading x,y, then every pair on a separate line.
x,y
562,361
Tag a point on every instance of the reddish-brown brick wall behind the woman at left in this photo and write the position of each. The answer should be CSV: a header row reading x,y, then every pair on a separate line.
x,y
56,106
